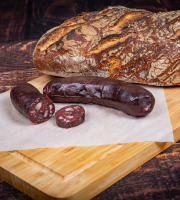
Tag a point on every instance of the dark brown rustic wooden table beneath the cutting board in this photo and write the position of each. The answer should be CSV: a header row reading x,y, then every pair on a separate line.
x,y
21,25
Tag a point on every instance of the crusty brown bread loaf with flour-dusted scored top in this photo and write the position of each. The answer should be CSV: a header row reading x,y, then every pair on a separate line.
x,y
128,44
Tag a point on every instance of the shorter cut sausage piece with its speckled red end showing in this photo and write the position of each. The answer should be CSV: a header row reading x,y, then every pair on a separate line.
x,y
31,103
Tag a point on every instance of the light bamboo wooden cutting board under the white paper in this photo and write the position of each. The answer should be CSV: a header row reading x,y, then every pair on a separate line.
x,y
81,172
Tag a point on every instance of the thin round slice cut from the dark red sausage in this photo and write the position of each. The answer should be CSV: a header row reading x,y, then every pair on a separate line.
x,y
70,116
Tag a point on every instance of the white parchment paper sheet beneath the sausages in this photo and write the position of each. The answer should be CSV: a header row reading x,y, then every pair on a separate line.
x,y
102,126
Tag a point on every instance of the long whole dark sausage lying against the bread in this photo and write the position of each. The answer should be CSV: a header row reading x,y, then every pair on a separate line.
x,y
129,98
